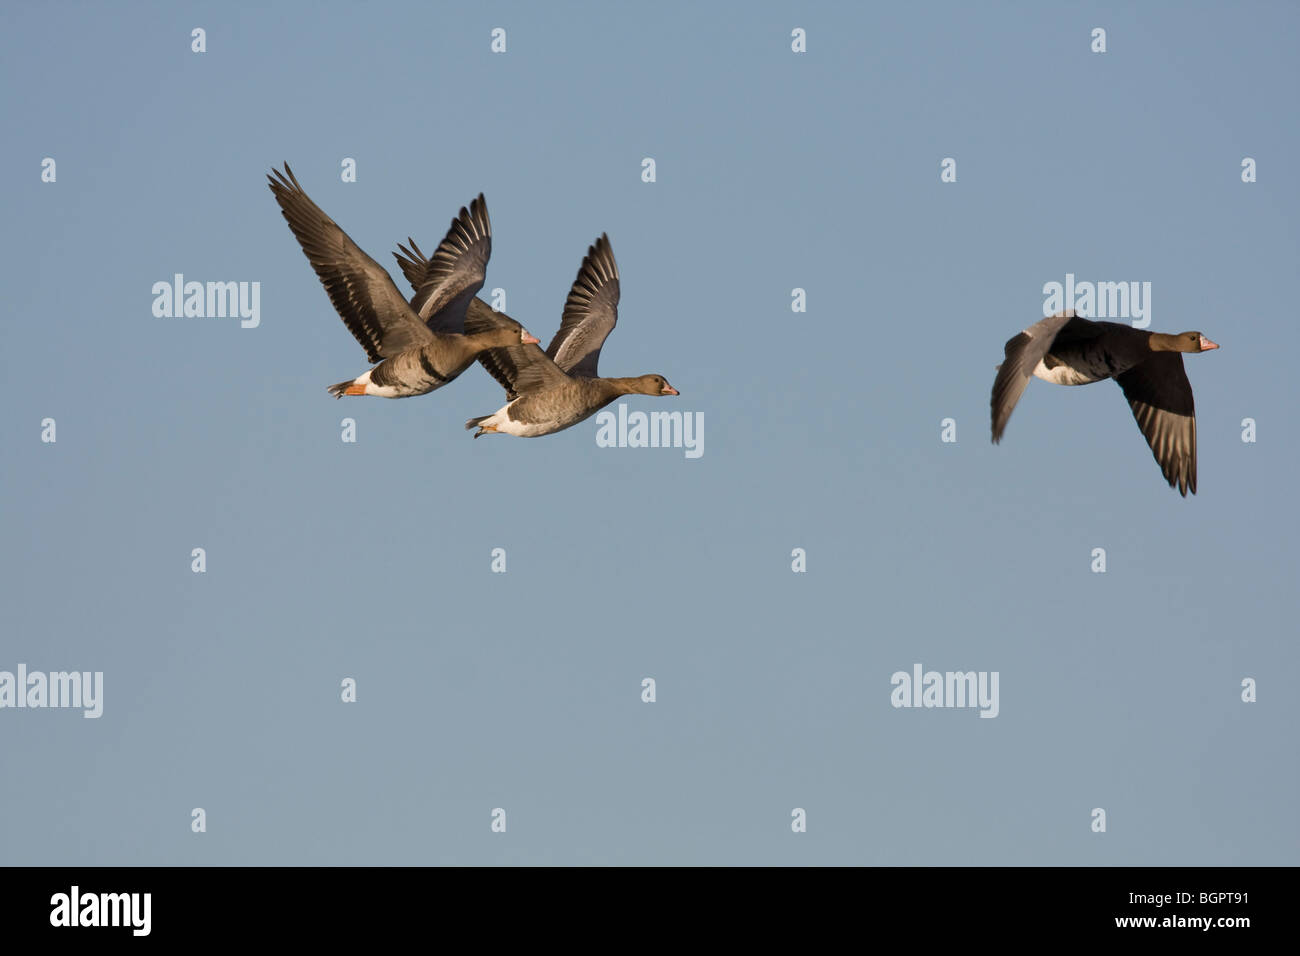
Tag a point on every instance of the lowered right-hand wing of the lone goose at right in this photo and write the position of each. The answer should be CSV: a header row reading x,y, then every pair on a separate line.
x,y
1162,399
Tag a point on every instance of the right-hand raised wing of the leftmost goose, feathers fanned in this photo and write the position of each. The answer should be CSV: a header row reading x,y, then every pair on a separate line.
x,y
445,283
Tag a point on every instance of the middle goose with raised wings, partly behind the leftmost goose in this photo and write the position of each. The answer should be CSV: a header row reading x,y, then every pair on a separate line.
x,y
548,392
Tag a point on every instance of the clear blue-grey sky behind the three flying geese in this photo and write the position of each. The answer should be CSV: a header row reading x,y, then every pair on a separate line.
x,y
822,431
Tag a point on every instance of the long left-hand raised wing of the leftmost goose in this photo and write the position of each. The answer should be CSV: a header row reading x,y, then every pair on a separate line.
x,y
361,289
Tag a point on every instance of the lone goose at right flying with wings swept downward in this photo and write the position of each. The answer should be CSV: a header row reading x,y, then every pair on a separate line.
x,y
1068,351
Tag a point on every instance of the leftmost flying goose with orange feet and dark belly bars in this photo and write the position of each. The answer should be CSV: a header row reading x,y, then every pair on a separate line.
x,y
422,345
